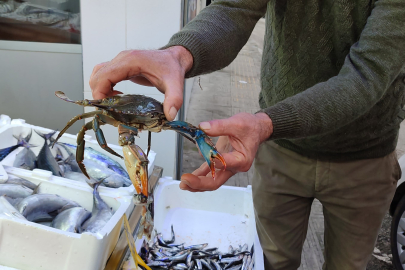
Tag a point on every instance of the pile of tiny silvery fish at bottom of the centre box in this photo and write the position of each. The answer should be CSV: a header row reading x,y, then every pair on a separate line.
x,y
167,255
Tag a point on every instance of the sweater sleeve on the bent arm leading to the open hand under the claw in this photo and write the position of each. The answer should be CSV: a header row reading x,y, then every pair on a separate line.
x,y
371,66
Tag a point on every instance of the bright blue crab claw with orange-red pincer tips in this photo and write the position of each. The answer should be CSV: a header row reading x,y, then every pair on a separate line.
x,y
208,150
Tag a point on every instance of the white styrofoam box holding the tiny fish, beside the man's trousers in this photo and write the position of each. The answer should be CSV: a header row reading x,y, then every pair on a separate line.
x,y
220,218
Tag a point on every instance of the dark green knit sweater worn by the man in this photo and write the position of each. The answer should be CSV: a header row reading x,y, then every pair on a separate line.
x,y
332,74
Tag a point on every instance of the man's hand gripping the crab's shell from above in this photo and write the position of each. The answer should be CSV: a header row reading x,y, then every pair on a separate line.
x,y
164,69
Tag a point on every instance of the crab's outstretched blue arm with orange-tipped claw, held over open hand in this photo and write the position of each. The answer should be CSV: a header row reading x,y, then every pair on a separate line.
x,y
203,142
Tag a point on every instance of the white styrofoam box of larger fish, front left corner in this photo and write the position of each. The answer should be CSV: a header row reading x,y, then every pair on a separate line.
x,y
27,245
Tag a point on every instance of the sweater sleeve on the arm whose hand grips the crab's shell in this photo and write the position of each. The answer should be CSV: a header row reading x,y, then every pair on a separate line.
x,y
216,35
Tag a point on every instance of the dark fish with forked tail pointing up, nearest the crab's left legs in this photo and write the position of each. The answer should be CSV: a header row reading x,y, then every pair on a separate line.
x,y
45,159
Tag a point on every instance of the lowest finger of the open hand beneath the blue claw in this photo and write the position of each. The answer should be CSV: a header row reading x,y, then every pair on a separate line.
x,y
204,183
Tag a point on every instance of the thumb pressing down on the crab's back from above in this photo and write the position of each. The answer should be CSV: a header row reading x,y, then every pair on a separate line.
x,y
173,97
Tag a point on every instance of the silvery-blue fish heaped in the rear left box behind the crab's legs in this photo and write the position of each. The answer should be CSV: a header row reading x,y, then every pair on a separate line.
x,y
99,166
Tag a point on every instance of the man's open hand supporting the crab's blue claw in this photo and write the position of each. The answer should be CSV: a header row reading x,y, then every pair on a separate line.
x,y
240,137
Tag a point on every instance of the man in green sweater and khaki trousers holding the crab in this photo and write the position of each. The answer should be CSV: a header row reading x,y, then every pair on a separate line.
x,y
332,82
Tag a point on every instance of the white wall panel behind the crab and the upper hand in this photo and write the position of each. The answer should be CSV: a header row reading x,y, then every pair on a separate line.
x,y
109,27
